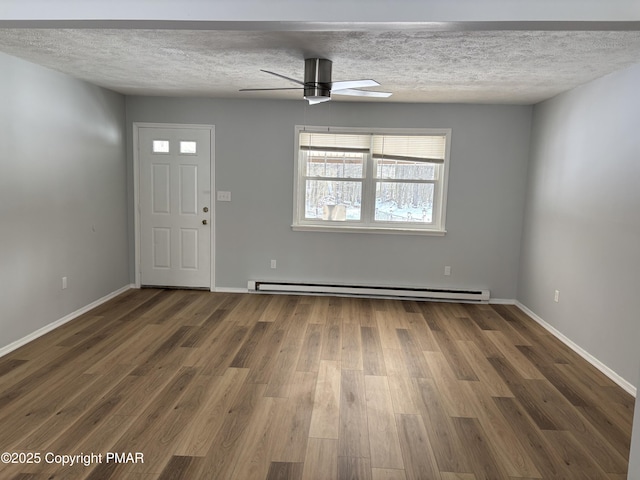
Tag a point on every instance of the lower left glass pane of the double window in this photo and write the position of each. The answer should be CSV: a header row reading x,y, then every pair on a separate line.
x,y
332,200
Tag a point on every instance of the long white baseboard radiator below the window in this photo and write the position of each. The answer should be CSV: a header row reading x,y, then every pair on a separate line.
x,y
414,293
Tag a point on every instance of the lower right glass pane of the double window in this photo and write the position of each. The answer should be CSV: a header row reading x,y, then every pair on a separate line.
x,y
404,202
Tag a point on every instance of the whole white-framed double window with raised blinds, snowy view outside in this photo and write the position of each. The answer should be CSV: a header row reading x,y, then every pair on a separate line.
x,y
387,181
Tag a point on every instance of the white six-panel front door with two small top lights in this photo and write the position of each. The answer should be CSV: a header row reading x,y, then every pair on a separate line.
x,y
175,207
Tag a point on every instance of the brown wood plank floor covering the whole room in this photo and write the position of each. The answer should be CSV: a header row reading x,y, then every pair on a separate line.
x,y
240,386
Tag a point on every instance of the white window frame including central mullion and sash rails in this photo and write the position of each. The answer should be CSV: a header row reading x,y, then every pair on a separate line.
x,y
368,224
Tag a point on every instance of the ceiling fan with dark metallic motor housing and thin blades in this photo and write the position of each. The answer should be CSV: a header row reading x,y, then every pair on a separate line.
x,y
318,87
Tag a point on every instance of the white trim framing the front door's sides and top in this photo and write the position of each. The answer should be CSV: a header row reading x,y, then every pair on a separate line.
x,y
136,191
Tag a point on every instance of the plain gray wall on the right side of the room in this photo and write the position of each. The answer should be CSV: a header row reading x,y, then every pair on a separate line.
x,y
582,220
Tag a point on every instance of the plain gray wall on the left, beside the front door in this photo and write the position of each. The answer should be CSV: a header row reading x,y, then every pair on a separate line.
x,y
62,196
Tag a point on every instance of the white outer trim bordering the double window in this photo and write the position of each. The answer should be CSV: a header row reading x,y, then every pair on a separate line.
x,y
440,187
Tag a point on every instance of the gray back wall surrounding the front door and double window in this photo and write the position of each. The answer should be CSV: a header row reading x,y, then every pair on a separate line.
x,y
254,160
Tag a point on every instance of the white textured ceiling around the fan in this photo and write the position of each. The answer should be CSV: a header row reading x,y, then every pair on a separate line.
x,y
520,67
